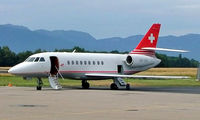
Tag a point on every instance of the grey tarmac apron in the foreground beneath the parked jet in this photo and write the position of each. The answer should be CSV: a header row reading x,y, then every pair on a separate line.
x,y
141,103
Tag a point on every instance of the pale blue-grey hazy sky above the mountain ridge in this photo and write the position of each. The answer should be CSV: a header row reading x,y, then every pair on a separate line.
x,y
104,18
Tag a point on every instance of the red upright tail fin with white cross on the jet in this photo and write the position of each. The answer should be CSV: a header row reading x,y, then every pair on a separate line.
x,y
149,40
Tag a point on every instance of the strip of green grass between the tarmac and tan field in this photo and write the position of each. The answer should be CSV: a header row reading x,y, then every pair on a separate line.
x,y
19,81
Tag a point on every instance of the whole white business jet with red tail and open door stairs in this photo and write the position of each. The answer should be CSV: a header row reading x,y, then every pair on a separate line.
x,y
94,66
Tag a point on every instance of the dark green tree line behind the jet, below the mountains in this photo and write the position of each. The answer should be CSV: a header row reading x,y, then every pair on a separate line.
x,y
10,58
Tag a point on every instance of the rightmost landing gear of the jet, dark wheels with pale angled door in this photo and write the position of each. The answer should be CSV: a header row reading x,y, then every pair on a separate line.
x,y
119,83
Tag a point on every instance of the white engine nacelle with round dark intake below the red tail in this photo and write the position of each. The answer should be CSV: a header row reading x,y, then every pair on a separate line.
x,y
140,60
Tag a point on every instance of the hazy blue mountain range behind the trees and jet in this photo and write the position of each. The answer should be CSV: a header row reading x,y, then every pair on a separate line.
x,y
20,38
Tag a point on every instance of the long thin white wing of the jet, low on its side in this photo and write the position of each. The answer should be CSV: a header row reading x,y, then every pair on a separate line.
x,y
135,76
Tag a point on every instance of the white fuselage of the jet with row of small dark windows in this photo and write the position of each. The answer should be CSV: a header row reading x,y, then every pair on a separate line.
x,y
76,65
